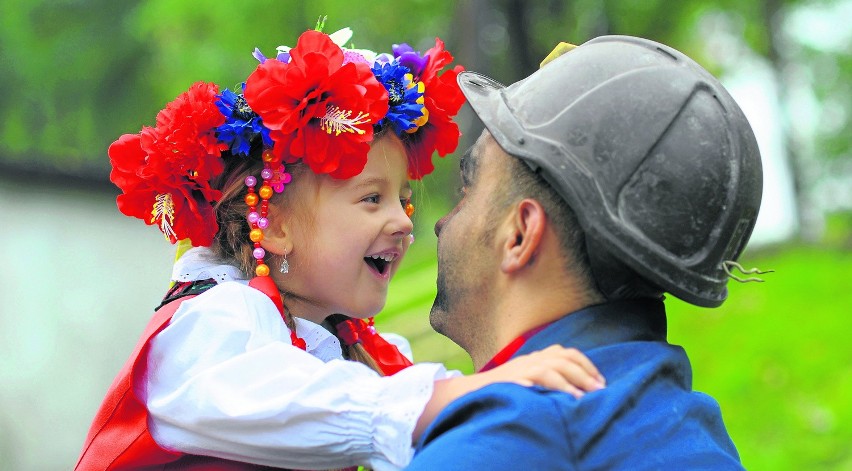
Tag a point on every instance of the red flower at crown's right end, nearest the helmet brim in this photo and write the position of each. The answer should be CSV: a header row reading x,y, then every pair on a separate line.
x,y
443,99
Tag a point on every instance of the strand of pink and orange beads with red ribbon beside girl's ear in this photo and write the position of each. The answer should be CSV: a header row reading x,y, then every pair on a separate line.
x,y
273,181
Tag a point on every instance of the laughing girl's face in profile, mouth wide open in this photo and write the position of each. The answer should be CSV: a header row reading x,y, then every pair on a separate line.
x,y
352,237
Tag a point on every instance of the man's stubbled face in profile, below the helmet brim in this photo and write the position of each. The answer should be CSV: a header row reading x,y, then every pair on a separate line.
x,y
467,255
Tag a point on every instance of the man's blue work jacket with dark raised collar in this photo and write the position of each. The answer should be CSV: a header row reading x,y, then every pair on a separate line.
x,y
647,417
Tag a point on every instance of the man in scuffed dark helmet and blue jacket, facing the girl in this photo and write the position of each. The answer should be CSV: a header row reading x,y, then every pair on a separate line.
x,y
619,171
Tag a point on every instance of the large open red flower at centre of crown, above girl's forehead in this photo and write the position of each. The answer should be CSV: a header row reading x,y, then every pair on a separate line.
x,y
317,108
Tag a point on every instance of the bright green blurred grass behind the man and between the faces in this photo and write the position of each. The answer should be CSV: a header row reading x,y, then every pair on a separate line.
x,y
777,355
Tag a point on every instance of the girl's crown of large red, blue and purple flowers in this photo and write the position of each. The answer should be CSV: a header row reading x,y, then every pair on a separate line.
x,y
318,102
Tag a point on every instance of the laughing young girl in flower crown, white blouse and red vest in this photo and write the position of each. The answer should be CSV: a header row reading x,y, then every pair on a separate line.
x,y
244,362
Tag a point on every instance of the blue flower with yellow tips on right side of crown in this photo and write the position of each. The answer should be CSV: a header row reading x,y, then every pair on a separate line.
x,y
405,97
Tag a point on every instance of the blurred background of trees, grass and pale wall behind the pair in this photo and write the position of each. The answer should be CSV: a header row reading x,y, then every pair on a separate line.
x,y
78,279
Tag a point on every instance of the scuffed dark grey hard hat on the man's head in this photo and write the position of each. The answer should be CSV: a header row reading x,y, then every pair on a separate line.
x,y
649,150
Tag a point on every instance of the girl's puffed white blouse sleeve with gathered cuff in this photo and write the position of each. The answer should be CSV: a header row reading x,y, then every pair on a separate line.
x,y
223,380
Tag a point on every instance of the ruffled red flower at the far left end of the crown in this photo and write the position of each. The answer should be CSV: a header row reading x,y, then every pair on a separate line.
x,y
164,172
